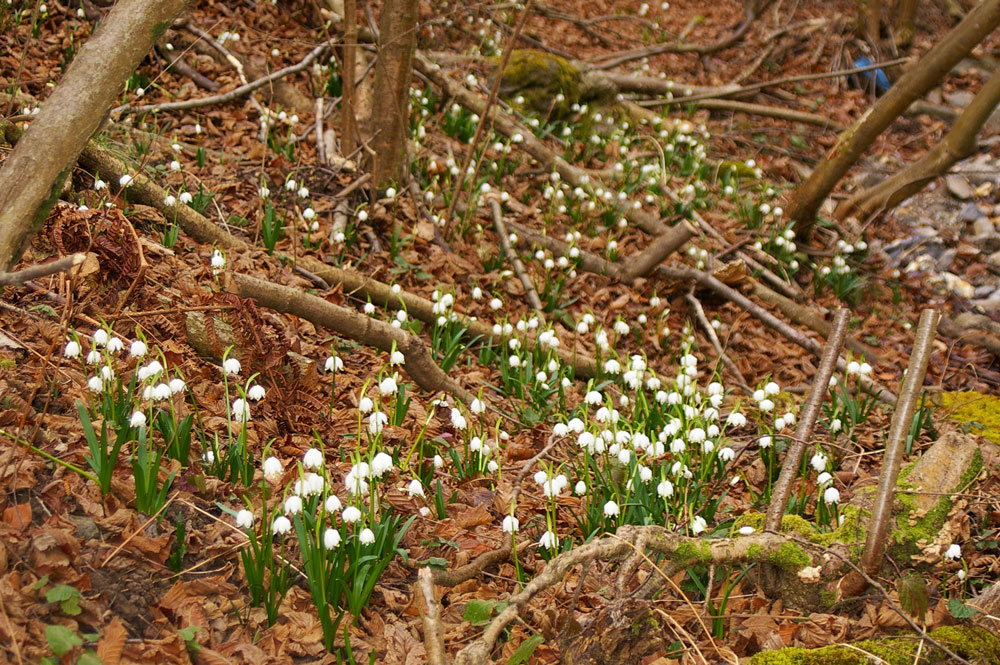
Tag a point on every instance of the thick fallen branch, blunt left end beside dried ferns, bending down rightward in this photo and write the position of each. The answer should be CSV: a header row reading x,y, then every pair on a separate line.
x,y
364,329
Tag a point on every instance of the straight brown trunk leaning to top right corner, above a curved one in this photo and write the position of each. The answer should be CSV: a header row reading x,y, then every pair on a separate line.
x,y
913,84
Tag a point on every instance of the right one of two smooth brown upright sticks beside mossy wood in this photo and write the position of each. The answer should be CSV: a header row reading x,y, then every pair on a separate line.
x,y
871,560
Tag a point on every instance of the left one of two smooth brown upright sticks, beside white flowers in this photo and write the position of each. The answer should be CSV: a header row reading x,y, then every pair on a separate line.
x,y
807,419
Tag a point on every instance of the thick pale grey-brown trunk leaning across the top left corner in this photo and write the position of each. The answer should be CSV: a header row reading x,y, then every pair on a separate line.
x,y
33,175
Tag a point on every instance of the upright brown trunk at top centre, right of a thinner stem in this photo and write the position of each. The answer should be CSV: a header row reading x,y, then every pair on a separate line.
x,y
390,113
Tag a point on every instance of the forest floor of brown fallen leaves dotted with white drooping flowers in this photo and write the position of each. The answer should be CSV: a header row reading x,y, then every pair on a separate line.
x,y
138,575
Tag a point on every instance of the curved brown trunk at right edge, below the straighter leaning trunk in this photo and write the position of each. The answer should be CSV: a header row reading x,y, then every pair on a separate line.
x,y
957,144
